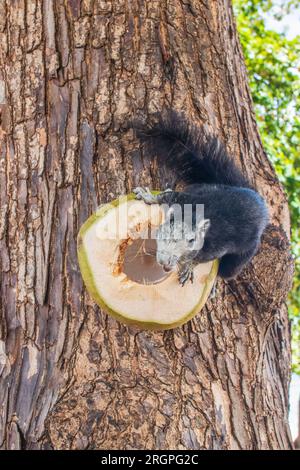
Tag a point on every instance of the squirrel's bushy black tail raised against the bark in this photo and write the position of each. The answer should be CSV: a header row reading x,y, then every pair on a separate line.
x,y
184,147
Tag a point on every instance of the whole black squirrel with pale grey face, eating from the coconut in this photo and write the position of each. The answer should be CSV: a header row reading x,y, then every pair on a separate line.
x,y
235,214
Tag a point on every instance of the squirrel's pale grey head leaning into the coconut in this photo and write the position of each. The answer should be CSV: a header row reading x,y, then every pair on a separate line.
x,y
178,241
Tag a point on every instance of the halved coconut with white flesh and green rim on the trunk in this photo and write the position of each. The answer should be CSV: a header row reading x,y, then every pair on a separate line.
x,y
120,270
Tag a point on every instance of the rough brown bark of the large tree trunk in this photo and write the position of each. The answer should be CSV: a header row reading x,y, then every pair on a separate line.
x,y
71,75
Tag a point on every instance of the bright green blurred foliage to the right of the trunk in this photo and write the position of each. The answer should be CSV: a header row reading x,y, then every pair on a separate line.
x,y
273,62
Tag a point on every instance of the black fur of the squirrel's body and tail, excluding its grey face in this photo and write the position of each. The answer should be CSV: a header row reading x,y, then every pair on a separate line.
x,y
238,214
